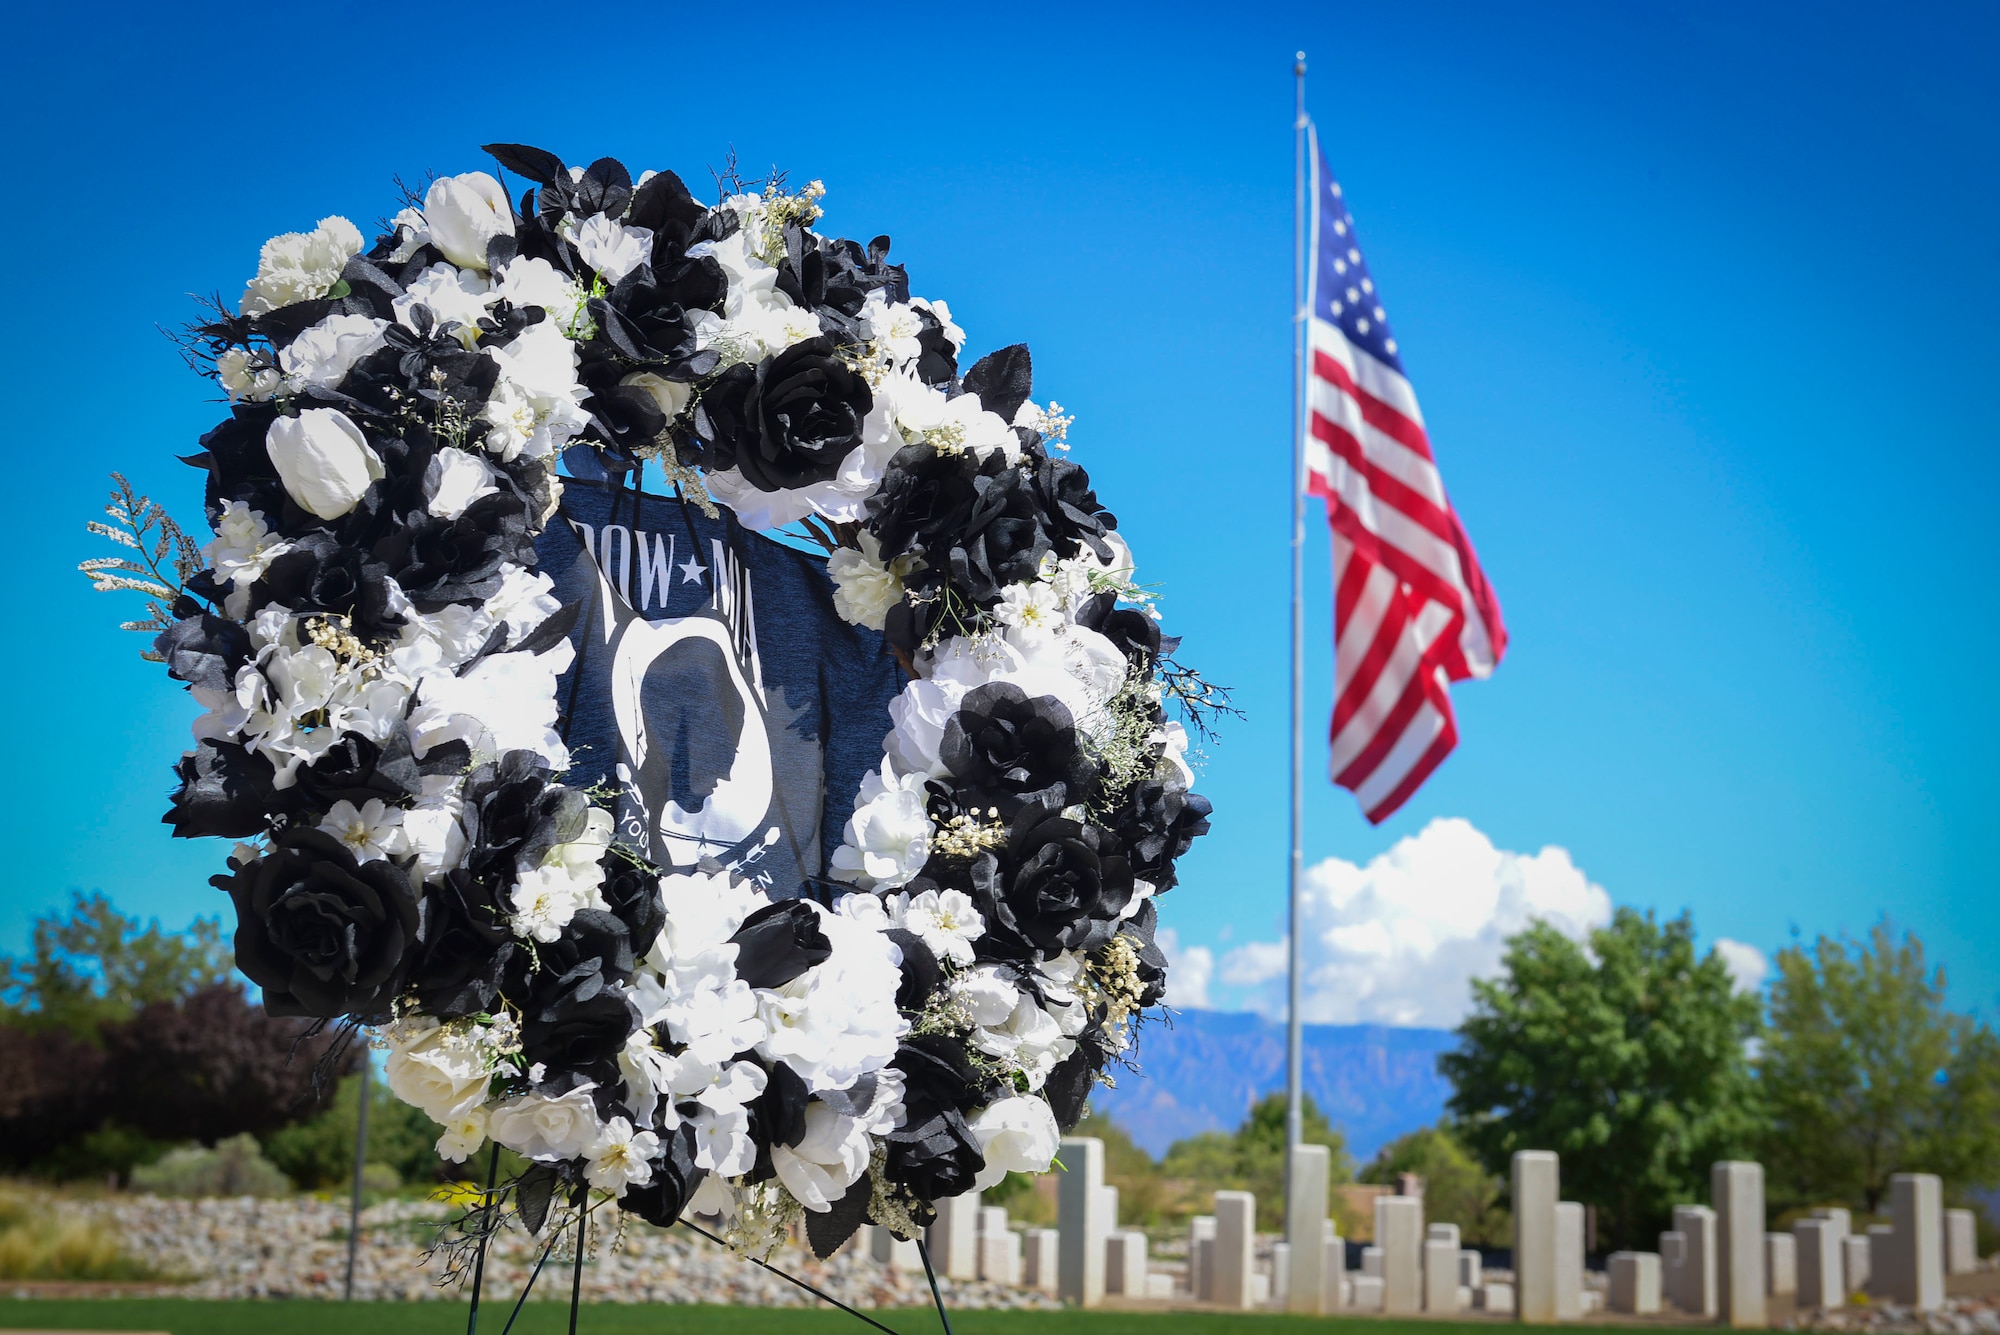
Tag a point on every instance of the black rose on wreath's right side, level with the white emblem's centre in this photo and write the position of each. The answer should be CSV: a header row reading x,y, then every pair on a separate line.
x,y
1007,744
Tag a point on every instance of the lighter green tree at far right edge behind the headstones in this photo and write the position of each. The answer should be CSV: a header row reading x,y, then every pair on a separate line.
x,y
1867,1074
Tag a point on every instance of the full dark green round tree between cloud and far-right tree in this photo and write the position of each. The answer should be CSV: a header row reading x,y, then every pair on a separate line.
x,y
1629,1060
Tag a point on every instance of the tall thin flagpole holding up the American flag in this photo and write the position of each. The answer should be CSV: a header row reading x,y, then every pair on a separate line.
x,y
1295,1124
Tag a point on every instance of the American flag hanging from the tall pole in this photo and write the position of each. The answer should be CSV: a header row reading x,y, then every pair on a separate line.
x,y
1411,609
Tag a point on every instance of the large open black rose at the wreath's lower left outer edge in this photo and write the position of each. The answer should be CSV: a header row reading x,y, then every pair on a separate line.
x,y
321,934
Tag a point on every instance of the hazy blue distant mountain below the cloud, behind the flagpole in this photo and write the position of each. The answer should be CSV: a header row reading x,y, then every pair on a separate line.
x,y
1207,1070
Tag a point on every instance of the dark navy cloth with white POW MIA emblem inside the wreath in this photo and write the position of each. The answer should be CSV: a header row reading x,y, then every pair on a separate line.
x,y
715,688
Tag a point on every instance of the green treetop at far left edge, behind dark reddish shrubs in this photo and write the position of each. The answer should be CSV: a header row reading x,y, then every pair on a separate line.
x,y
97,966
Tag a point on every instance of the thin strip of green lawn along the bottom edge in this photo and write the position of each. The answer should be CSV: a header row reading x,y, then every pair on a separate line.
x,y
193,1318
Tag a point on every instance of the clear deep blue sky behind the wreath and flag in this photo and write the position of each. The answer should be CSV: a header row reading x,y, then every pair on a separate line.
x,y
1699,305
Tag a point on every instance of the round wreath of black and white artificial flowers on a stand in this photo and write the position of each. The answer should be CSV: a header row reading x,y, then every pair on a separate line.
x,y
379,659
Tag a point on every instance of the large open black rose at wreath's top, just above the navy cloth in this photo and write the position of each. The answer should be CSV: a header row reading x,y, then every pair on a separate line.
x,y
801,419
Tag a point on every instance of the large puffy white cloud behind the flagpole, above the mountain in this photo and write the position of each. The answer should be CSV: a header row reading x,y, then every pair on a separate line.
x,y
1401,940
